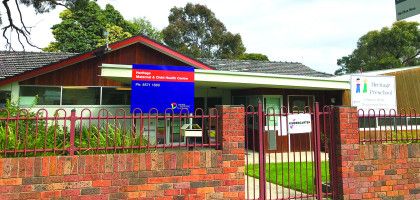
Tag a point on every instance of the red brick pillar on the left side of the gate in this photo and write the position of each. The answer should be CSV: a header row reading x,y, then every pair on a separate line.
x,y
232,138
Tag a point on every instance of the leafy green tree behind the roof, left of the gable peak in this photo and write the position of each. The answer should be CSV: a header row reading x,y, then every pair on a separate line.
x,y
85,28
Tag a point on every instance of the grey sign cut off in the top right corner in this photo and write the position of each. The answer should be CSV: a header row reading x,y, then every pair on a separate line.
x,y
407,8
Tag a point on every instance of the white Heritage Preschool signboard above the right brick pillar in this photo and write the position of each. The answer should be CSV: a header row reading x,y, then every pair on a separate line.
x,y
373,92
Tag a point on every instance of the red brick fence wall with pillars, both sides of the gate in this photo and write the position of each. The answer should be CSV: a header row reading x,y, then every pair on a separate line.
x,y
378,171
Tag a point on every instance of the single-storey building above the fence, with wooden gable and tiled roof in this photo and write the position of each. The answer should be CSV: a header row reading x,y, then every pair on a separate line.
x,y
102,79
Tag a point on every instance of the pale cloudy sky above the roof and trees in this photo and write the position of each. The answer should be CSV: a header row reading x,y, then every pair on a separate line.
x,y
313,32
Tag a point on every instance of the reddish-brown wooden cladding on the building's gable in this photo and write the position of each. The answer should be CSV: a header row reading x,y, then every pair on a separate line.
x,y
86,73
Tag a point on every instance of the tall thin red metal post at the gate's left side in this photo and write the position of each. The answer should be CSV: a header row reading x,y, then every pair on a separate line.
x,y
261,149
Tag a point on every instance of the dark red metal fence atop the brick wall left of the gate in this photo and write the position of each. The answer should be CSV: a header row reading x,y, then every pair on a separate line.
x,y
27,133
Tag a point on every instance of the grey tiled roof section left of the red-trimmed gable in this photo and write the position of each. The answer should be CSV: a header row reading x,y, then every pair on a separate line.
x,y
13,63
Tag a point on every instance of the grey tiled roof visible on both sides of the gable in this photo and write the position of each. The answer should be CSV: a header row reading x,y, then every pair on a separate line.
x,y
13,63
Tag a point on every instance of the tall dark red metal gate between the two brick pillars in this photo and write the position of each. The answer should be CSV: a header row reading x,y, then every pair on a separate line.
x,y
282,164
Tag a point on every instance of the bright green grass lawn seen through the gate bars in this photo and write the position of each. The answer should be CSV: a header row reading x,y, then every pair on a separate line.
x,y
297,176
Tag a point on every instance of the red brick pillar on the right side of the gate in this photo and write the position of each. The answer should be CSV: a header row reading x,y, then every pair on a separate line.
x,y
347,148
